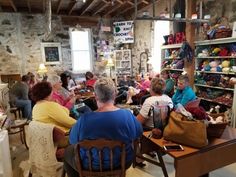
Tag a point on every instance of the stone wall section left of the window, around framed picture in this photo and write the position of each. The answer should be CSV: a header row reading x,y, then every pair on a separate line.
x,y
20,42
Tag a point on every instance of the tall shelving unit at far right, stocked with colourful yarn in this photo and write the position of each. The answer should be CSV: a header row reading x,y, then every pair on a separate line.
x,y
212,86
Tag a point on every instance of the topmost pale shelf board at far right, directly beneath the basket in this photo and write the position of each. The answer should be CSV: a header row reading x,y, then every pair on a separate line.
x,y
215,41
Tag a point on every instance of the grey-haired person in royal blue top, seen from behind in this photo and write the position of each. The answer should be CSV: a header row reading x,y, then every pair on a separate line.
x,y
108,122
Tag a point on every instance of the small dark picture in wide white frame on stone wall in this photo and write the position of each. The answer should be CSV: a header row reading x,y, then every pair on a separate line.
x,y
51,53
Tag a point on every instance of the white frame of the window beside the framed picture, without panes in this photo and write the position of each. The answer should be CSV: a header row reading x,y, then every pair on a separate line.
x,y
90,52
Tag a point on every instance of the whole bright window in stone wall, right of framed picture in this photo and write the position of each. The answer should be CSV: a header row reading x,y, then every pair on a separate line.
x,y
81,50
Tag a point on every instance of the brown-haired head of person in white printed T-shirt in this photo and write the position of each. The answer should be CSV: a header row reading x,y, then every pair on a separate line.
x,y
157,86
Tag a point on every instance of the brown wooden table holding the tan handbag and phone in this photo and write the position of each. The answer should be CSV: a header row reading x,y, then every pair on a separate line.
x,y
194,162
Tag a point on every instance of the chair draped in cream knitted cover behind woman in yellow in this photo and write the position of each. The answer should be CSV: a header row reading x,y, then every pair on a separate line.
x,y
43,138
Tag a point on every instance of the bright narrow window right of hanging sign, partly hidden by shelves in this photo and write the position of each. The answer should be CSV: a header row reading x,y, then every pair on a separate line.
x,y
161,28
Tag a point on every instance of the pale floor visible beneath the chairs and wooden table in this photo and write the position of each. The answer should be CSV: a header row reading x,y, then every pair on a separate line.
x,y
19,153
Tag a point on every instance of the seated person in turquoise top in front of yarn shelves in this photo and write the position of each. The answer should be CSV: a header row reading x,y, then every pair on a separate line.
x,y
184,93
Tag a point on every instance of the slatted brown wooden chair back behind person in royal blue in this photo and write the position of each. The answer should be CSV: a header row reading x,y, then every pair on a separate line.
x,y
100,144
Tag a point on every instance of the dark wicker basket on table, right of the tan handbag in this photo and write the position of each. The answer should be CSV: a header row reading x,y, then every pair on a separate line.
x,y
216,130
